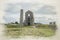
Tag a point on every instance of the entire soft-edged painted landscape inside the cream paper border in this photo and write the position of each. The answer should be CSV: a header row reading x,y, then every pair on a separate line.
x,y
36,19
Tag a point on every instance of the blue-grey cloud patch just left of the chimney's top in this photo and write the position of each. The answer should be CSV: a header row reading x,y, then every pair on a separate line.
x,y
12,9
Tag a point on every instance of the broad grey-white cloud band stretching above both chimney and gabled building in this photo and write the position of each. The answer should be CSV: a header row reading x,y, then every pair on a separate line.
x,y
15,8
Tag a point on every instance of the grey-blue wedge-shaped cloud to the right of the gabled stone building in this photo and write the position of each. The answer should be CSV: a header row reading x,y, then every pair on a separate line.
x,y
46,10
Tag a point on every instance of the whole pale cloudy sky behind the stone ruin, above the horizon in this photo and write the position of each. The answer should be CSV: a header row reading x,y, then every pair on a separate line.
x,y
43,10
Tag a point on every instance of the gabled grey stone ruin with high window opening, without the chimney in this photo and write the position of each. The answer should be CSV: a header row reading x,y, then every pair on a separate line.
x,y
29,19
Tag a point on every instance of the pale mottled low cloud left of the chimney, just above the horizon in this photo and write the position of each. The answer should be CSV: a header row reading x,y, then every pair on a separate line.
x,y
11,18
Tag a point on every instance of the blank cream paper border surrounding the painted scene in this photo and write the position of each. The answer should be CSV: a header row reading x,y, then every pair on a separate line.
x,y
49,2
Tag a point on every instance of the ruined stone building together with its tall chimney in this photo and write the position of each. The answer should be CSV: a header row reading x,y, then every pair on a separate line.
x,y
29,19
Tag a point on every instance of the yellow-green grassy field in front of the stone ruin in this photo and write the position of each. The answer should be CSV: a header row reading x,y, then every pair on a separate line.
x,y
28,31
